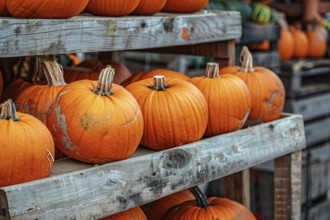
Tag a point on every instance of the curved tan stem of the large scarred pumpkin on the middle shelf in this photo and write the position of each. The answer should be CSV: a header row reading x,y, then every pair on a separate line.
x,y
105,81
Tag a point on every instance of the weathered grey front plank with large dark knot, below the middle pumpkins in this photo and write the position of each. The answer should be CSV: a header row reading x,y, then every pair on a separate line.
x,y
97,192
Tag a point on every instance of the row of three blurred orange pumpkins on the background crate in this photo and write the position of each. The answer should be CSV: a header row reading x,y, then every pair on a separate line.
x,y
297,44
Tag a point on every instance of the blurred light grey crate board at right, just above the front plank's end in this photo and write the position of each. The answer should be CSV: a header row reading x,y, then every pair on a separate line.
x,y
311,107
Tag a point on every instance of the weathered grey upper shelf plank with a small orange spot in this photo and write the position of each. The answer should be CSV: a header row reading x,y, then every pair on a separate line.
x,y
86,33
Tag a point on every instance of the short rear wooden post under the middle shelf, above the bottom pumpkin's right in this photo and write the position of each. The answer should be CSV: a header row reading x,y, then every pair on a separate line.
x,y
237,187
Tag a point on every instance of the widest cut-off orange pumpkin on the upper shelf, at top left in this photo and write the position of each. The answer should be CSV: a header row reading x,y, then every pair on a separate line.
x,y
45,8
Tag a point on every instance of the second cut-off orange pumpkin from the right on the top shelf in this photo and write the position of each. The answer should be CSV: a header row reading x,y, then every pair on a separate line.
x,y
149,7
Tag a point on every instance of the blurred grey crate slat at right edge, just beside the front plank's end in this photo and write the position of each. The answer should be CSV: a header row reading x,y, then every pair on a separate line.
x,y
317,131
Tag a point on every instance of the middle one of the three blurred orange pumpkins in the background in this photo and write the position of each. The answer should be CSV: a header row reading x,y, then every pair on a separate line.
x,y
300,43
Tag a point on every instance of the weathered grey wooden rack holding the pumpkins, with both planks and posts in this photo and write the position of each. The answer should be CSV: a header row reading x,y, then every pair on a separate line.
x,y
80,191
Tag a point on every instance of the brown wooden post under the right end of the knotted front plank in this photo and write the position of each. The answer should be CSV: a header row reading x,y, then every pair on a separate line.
x,y
287,187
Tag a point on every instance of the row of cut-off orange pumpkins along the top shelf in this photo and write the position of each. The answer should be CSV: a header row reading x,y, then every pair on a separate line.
x,y
66,9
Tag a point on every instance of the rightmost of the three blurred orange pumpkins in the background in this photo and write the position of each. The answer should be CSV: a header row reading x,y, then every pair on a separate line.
x,y
317,44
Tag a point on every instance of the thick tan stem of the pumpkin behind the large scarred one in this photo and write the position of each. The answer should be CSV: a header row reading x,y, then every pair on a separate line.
x,y
53,73
